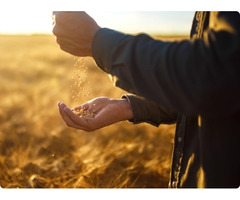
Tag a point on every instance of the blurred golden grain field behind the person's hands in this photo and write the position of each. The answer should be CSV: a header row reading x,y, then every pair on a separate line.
x,y
37,149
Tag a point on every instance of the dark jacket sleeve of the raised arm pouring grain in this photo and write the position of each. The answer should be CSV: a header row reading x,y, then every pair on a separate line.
x,y
198,76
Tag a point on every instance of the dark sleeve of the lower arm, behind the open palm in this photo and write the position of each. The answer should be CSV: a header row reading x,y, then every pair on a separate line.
x,y
149,112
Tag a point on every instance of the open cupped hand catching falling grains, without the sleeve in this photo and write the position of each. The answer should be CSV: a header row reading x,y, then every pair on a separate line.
x,y
102,111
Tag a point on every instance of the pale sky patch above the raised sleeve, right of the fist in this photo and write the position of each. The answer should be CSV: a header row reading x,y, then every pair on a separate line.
x,y
153,22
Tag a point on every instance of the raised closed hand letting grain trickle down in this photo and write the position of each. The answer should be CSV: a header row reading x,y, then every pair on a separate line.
x,y
74,32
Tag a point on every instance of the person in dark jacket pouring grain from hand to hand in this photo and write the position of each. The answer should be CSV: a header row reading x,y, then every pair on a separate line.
x,y
193,82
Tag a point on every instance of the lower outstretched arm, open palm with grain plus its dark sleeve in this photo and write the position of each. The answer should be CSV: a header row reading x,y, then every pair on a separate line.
x,y
105,111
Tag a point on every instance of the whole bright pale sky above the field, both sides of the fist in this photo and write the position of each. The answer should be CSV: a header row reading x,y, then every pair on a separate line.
x,y
153,22
